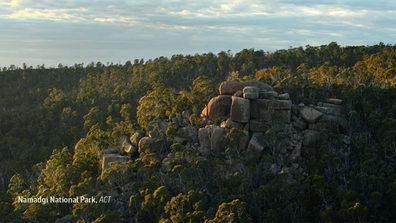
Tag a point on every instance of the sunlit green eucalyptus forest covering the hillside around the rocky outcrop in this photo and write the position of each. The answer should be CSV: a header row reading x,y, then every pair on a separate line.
x,y
54,123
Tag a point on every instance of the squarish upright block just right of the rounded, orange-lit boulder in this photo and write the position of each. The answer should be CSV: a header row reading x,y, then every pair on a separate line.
x,y
240,110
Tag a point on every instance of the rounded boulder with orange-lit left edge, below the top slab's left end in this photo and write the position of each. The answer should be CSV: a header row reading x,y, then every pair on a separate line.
x,y
218,107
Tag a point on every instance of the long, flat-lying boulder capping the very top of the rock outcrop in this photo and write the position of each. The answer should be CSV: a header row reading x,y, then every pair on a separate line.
x,y
231,87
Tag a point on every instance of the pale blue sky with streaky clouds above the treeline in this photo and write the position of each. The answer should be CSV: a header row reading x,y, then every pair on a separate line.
x,y
51,32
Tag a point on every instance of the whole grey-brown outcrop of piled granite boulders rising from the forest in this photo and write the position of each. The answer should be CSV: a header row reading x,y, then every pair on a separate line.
x,y
267,123
